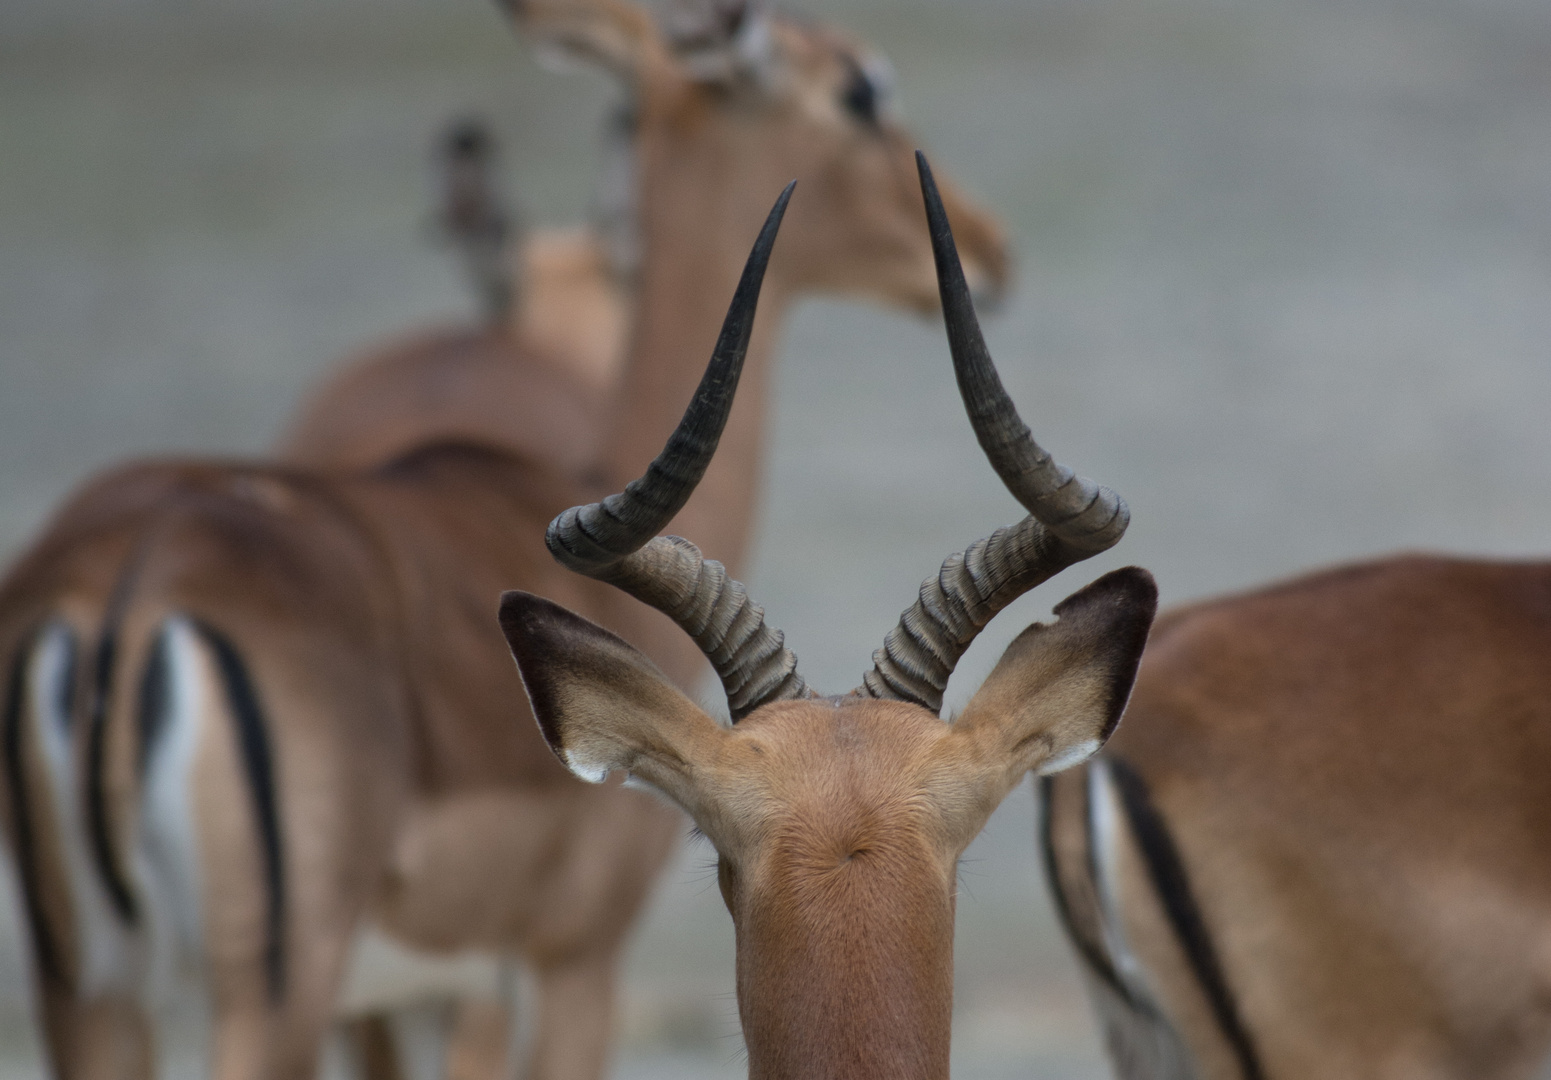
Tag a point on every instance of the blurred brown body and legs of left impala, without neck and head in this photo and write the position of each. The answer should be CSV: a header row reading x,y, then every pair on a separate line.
x,y
314,640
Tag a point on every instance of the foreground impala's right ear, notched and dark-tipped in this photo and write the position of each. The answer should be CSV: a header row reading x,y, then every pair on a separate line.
x,y
1059,691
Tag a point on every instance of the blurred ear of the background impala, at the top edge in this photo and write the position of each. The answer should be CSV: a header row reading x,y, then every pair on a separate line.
x,y
615,35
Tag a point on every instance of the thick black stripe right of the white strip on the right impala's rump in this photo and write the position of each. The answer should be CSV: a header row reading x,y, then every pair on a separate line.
x,y
1172,882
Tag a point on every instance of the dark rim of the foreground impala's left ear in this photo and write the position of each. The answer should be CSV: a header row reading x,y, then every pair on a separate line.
x,y
545,639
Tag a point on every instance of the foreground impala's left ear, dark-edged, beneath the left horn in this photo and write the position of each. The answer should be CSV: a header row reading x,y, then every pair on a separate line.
x,y
601,704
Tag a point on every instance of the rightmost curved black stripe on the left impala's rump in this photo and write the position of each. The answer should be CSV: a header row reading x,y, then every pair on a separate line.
x,y
258,763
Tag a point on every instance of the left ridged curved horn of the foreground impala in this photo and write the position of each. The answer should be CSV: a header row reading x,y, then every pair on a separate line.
x,y
618,542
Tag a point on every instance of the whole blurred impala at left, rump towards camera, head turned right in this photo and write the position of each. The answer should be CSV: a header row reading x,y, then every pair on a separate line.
x,y
254,708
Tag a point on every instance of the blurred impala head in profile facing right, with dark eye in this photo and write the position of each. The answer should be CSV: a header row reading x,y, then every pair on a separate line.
x,y
730,99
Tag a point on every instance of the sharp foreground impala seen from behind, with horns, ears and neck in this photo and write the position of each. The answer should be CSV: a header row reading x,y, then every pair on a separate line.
x,y
840,820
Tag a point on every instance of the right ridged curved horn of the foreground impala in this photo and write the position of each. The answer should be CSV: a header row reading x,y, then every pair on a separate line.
x,y
1069,519
